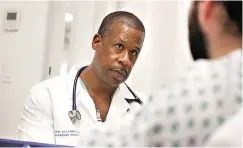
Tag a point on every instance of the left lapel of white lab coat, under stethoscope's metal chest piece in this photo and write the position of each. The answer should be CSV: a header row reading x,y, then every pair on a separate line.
x,y
82,97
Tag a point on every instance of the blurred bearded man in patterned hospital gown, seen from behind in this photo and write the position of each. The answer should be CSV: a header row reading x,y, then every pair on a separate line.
x,y
189,111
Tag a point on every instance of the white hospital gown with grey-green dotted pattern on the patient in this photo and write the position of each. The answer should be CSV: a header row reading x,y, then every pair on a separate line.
x,y
183,114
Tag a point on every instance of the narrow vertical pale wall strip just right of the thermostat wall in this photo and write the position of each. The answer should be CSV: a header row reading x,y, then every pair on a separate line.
x,y
55,36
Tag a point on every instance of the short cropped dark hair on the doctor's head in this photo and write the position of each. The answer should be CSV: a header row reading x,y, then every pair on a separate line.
x,y
121,17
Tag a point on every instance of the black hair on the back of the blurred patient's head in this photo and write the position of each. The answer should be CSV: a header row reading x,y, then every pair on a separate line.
x,y
234,11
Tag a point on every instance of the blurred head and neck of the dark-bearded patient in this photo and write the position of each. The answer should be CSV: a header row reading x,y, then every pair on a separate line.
x,y
215,28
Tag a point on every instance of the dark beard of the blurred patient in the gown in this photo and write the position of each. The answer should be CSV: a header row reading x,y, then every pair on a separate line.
x,y
197,39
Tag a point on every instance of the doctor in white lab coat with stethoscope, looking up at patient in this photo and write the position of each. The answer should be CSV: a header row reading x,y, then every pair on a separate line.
x,y
59,108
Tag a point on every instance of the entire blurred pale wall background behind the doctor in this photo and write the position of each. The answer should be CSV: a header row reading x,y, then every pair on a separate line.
x,y
51,36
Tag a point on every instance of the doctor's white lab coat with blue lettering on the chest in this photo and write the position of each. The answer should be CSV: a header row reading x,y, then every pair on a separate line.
x,y
45,117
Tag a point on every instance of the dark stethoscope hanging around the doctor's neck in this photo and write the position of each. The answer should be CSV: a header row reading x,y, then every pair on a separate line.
x,y
74,114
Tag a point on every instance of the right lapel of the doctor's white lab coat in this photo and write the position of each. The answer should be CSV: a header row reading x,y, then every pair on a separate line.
x,y
119,105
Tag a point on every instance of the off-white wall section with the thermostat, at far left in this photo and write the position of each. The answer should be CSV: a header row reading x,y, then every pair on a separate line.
x,y
22,59
